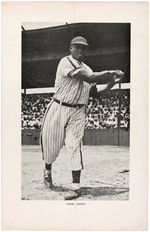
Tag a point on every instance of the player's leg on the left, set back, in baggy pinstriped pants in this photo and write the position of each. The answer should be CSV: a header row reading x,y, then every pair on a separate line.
x,y
52,139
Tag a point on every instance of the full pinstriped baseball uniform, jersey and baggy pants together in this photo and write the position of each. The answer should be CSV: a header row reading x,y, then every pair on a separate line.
x,y
62,123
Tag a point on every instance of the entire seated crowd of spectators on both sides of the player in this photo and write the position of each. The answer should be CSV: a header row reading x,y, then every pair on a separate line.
x,y
101,113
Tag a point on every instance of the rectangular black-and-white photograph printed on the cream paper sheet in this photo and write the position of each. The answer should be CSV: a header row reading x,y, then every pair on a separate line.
x,y
75,111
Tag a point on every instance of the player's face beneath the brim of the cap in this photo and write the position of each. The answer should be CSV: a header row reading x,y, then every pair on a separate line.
x,y
78,51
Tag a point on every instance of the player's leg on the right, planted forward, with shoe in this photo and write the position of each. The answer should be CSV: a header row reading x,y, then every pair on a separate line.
x,y
74,134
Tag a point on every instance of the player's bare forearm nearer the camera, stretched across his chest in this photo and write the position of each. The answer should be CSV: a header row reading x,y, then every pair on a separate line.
x,y
95,77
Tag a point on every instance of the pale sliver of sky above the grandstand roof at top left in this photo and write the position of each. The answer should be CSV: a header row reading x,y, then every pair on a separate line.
x,y
39,25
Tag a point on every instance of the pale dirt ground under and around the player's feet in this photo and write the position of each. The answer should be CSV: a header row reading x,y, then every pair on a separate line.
x,y
105,175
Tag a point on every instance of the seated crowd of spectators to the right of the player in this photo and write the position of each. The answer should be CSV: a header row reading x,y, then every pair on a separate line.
x,y
103,113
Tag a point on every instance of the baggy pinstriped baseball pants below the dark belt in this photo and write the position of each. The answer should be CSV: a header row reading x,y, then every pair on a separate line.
x,y
63,124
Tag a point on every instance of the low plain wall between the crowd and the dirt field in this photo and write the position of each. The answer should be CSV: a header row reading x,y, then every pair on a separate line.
x,y
91,137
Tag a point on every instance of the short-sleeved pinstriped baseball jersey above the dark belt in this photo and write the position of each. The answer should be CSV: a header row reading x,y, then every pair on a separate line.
x,y
71,90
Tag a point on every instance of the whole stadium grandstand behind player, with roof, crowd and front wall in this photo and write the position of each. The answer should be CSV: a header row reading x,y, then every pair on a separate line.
x,y
107,118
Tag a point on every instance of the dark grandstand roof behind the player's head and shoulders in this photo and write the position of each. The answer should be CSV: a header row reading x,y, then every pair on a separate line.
x,y
43,48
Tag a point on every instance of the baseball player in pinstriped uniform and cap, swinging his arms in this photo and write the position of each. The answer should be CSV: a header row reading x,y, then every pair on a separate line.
x,y
64,118
